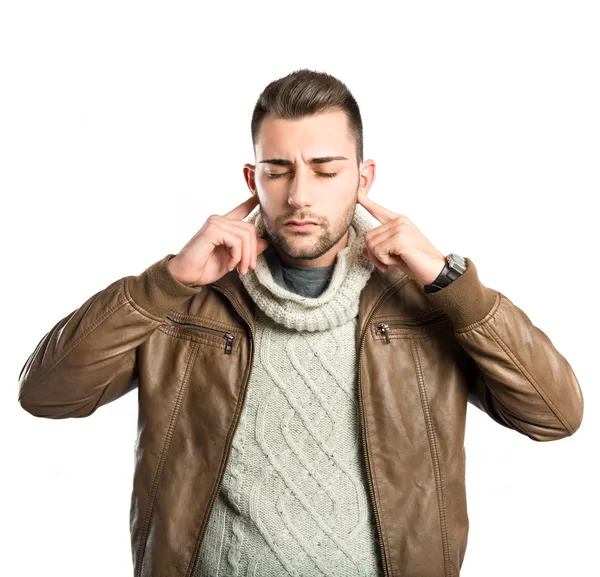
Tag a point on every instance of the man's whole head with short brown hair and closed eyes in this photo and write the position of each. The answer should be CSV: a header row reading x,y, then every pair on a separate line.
x,y
308,140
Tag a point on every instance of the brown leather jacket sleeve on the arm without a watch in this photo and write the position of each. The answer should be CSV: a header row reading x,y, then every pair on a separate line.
x,y
88,359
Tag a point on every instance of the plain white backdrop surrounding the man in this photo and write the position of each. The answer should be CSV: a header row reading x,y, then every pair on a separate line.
x,y
124,125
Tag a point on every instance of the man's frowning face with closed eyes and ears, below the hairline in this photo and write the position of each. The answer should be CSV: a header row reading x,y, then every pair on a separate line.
x,y
291,178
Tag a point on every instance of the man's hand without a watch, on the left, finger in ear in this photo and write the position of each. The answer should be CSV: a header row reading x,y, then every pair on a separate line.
x,y
222,243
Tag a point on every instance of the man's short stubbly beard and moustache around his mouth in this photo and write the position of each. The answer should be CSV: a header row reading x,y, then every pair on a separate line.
x,y
311,244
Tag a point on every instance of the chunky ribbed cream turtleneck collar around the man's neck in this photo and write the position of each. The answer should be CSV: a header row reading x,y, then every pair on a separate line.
x,y
337,304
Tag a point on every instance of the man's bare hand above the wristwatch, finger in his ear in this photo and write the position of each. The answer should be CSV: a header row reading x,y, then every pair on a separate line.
x,y
398,242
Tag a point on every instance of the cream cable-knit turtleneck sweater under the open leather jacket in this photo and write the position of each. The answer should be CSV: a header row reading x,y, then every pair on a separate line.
x,y
294,498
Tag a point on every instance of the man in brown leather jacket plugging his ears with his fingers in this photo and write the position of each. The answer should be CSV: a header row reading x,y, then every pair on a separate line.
x,y
304,414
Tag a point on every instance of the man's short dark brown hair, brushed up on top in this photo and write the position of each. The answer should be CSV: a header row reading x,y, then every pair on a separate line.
x,y
305,92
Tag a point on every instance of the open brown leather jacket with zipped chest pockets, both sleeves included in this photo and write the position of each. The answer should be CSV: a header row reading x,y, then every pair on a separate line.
x,y
421,357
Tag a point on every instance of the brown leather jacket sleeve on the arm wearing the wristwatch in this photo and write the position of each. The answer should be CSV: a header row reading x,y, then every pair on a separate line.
x,y
519,378
